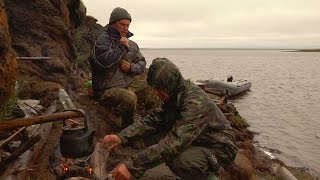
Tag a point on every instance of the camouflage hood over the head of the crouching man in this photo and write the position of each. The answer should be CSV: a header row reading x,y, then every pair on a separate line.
x,y
165,75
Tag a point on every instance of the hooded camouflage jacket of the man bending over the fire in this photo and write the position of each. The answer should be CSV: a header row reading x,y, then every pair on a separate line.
x,y
192,117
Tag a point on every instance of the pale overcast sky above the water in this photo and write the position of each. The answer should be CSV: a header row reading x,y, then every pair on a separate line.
x,y
217,23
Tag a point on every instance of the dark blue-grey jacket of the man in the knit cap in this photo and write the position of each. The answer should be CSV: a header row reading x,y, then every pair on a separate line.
x,y
106,57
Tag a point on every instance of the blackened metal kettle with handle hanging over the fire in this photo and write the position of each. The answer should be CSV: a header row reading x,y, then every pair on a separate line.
x,y
77,141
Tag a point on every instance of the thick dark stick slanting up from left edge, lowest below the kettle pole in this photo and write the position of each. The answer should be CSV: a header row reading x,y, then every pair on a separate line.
x,y
20,151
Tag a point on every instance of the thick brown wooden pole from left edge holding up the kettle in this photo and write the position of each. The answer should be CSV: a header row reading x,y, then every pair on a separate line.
x,y
16,123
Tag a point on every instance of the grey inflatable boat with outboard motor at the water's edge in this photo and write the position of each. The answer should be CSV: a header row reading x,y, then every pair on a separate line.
x,y
229,87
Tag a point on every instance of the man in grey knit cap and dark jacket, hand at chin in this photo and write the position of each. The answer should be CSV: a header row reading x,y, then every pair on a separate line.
x,y
115,61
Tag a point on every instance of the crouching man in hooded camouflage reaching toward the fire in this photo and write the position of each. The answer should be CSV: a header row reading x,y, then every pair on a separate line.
x,y
199,141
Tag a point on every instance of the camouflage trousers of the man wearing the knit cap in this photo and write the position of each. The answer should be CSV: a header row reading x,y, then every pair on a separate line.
x,y
125,100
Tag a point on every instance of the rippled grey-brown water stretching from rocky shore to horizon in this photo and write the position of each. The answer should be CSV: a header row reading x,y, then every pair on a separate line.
x,y
283,105
